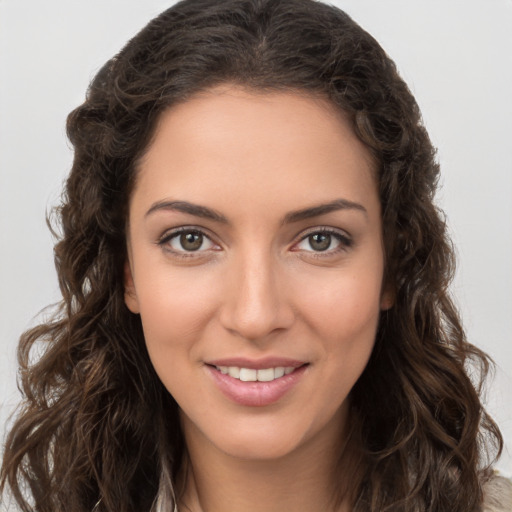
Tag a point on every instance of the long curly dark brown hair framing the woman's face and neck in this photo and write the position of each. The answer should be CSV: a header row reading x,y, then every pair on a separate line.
x,y
97,430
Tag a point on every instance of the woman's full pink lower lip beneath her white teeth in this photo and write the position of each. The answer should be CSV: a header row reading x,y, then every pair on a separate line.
x,y
256,394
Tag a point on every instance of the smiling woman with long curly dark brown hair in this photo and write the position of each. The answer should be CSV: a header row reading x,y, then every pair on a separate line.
x,y
255,312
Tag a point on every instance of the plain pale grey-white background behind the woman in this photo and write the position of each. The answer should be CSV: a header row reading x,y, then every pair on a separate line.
x,y
455,56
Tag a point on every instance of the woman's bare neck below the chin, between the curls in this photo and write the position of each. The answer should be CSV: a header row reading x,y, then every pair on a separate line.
x,y
316,478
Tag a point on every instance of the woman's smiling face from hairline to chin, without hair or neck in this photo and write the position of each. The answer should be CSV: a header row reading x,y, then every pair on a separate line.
x,y
256,264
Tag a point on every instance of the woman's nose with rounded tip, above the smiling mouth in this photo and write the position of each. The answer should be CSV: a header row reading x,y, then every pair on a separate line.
x,y
255,305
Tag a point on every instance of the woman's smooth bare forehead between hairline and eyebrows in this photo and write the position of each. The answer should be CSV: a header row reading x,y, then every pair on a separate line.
x,y
275,144
